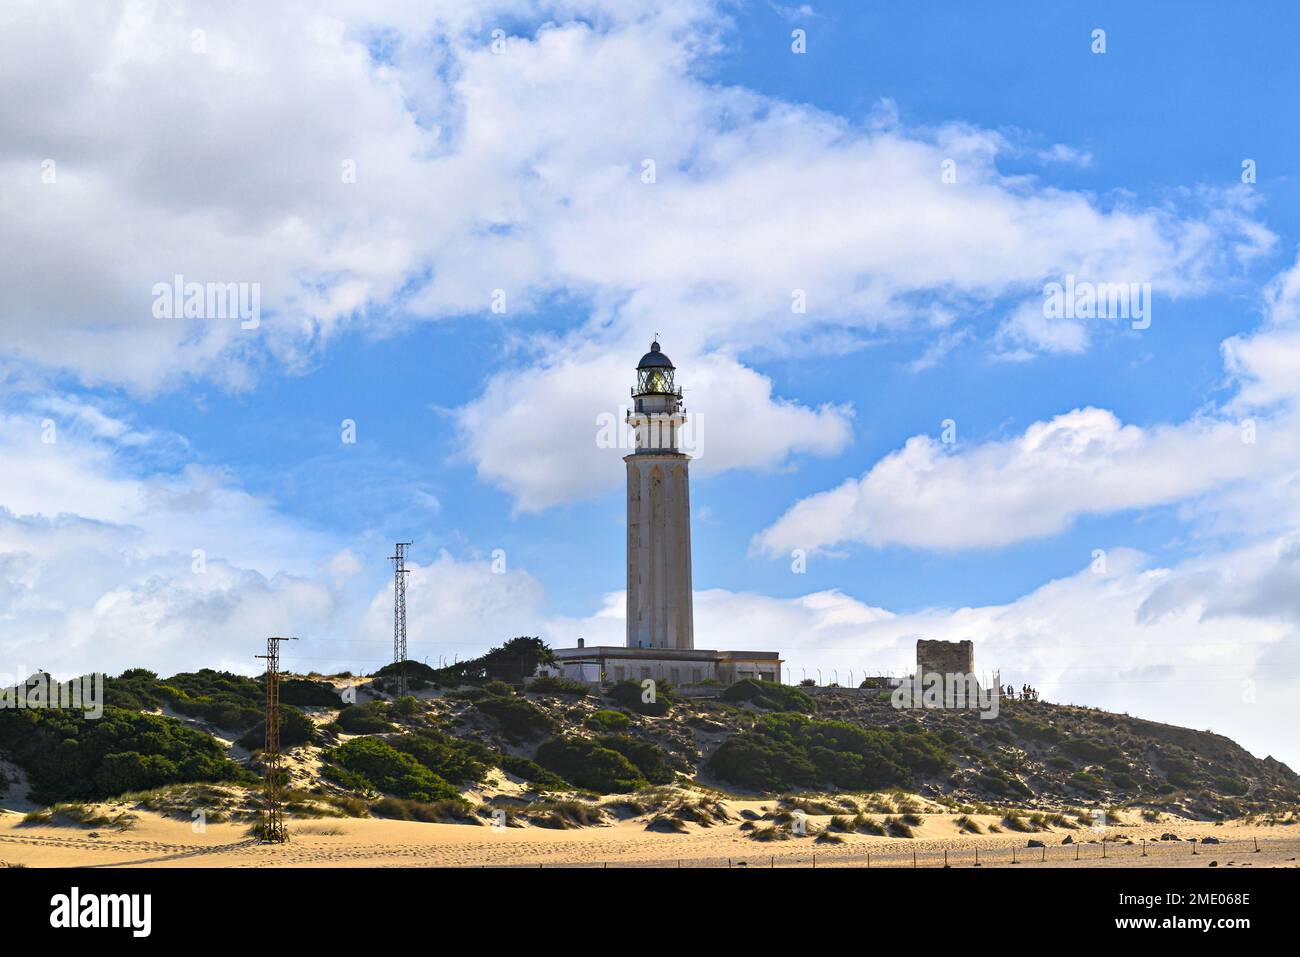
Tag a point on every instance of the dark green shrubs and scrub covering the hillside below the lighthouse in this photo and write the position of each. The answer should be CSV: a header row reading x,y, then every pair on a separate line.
x,y
413,756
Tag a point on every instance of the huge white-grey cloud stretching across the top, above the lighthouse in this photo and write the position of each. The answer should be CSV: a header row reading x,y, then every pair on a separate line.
x,y
479,171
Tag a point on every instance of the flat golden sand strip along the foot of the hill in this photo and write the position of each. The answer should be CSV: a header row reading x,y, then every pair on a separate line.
x,y
154,841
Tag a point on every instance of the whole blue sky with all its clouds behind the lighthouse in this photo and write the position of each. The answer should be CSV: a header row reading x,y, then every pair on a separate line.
x,y
519,170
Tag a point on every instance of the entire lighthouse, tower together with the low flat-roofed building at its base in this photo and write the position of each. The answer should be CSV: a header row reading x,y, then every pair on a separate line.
x,y
661,631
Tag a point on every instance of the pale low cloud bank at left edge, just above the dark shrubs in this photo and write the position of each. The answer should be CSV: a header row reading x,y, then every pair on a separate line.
x,y
106,565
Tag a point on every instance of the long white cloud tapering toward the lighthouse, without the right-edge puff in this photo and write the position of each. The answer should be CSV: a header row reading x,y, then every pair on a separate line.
x,y
1085,462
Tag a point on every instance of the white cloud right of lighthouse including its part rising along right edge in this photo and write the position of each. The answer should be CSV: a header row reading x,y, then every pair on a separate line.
x,y
1086,462
